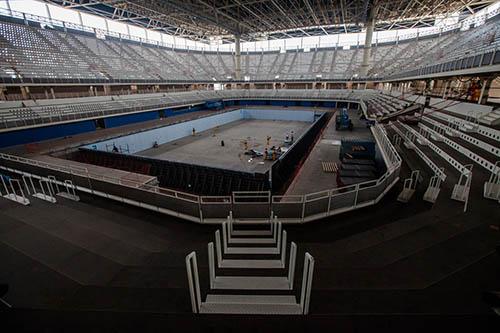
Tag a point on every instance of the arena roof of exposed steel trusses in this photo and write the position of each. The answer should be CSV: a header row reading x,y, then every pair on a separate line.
x,y
272,19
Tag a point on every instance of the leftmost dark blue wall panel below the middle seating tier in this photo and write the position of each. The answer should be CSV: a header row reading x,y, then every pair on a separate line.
x,y
45,133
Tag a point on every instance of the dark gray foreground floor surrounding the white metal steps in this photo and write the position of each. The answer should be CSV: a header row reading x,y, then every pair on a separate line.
x,y
416,261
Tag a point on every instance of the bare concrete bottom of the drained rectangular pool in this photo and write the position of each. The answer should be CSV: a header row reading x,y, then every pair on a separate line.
x,y
205,149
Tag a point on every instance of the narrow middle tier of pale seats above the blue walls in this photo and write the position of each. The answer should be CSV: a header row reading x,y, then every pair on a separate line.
x,y
38,113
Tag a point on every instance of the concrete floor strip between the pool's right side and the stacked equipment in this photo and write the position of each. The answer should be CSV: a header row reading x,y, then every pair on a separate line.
x,y
311,177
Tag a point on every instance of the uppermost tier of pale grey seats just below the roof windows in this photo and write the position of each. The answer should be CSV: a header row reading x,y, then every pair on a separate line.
x,y
30,54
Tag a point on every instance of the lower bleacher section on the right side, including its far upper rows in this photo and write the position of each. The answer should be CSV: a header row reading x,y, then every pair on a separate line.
x,y
453,146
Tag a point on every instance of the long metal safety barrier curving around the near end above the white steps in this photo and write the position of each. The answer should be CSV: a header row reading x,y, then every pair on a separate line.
x,y
215,209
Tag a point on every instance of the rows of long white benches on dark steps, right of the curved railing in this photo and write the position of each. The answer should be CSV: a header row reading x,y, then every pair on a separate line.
x,y
450,143
